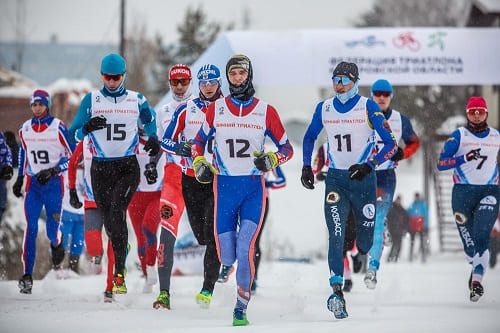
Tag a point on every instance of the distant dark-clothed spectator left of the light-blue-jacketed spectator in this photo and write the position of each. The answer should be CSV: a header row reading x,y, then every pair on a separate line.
x,y
397,222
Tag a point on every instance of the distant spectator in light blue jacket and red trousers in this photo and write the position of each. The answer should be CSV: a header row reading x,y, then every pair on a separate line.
x,y
419,224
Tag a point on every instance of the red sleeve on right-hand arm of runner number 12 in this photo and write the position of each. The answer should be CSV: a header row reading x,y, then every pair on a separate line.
x,y
276,132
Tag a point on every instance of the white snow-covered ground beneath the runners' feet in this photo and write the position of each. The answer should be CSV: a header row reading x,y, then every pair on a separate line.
x,y
410,297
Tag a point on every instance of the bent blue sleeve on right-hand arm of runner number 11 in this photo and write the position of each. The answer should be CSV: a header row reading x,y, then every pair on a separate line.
x,y
381,126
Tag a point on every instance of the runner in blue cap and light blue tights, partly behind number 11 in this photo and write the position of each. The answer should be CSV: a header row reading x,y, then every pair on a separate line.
x,y
382,94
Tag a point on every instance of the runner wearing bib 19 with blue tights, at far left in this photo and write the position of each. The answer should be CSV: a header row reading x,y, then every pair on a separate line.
x,y
43,155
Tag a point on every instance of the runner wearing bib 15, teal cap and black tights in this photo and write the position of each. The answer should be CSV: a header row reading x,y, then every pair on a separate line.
x,y
110,117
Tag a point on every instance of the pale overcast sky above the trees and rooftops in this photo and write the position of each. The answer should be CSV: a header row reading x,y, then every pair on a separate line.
x,y
97,21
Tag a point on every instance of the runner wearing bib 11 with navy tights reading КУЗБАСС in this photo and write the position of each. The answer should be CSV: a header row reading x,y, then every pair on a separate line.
x,y
349,121
